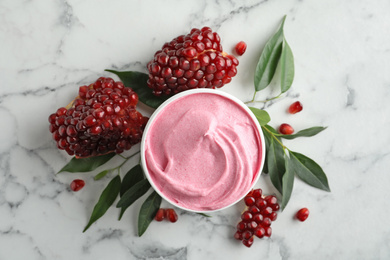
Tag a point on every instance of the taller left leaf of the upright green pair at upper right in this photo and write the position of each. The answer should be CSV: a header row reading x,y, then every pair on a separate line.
x,y
269,58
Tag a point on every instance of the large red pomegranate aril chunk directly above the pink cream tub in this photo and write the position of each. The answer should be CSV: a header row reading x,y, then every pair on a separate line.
x,y
187,62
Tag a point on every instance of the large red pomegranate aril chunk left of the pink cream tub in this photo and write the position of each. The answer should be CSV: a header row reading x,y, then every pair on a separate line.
x,y
102,119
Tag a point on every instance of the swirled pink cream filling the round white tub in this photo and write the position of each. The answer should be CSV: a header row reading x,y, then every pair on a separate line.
x,y
203,151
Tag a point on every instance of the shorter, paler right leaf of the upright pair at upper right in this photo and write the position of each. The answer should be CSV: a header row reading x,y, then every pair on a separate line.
x,y
287,67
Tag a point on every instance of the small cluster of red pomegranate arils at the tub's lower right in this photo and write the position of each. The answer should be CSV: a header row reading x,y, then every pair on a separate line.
x,y
257,218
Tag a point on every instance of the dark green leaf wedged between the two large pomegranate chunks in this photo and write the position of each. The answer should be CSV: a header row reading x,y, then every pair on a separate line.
x,y
138,82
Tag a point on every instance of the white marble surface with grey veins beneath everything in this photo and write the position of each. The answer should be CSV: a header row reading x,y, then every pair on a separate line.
x,y
342,52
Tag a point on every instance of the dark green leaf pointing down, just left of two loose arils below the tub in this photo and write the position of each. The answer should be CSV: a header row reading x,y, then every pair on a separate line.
x,y
147,212
